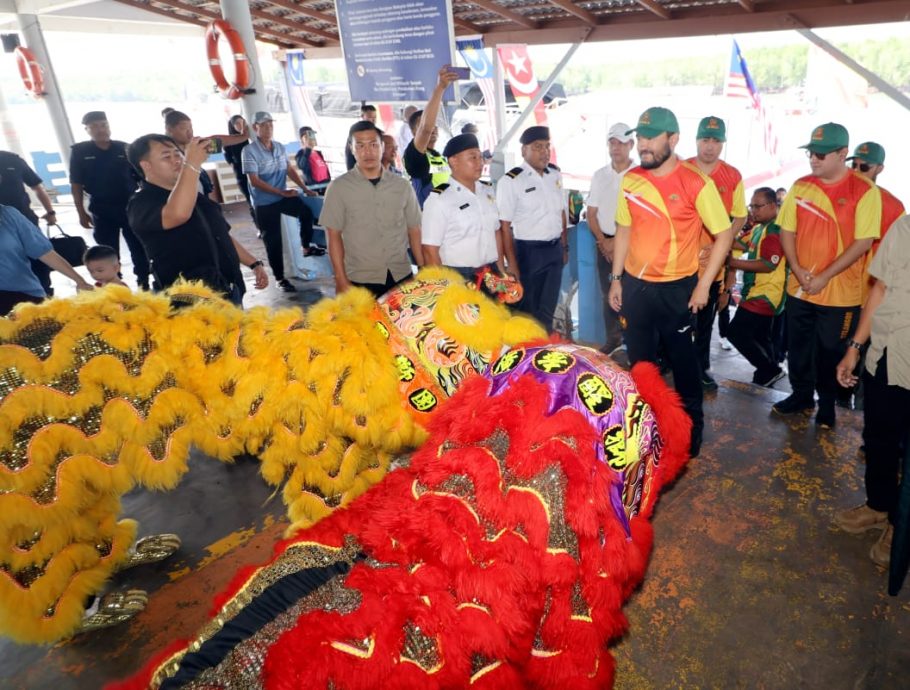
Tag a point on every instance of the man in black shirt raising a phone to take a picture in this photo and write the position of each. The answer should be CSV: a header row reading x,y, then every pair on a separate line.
x,y
184,232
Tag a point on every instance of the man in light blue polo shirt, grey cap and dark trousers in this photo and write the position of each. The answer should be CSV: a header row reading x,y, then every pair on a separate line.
x,y
265,163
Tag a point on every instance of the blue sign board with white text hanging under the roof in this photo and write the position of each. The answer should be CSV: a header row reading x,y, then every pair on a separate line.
x,y
393,50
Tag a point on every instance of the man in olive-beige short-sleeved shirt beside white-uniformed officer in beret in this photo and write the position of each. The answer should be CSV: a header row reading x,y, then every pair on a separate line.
x,y
371,216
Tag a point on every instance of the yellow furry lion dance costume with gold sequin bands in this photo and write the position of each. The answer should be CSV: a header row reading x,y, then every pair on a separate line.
x,y
109,390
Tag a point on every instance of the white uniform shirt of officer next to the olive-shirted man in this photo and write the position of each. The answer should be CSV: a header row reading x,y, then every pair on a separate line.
x,y
462,224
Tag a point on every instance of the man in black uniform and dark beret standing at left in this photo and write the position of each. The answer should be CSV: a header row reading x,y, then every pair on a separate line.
x,y
100,168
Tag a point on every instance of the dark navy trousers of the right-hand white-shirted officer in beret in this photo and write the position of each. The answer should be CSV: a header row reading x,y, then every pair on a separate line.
x,y
540,264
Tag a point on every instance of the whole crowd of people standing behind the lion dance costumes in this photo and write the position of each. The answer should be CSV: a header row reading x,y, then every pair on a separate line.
x,y
672,237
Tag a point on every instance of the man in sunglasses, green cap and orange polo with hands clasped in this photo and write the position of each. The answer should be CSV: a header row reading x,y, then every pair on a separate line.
x,y
828,223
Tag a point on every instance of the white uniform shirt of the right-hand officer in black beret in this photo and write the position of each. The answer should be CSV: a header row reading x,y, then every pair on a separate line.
x,y
532,202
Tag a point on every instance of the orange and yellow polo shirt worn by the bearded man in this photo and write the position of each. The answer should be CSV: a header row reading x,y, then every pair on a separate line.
x,y
667,216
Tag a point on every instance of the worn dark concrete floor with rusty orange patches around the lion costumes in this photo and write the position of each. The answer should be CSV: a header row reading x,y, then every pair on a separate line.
x,y
749,585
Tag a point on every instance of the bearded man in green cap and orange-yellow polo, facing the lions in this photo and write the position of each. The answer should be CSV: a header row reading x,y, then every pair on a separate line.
x,y
664,203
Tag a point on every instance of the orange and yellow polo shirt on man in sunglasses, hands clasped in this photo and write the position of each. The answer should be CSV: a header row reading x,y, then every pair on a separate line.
x,y
827,219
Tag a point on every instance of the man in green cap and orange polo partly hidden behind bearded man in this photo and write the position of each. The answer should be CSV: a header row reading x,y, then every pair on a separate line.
x,y
709,141
